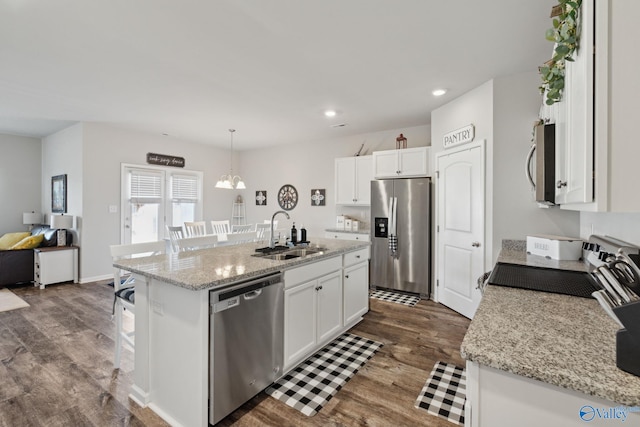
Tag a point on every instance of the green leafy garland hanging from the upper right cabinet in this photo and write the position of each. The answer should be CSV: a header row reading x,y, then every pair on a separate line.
x,y
566,36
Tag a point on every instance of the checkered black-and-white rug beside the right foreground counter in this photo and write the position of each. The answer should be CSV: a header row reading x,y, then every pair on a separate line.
x,y
444,393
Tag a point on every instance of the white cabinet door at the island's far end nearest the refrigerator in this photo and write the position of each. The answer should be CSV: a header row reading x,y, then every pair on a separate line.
x,y
355,292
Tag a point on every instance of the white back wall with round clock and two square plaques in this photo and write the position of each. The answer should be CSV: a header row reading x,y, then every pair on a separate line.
x,y
310,165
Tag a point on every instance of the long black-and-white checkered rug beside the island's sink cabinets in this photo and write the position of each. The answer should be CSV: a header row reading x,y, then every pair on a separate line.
x,y
315,381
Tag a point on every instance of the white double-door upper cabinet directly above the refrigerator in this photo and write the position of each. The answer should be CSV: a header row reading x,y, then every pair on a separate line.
x,y
404,163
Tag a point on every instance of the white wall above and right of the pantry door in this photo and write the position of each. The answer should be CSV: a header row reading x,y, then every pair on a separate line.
x,y
502,111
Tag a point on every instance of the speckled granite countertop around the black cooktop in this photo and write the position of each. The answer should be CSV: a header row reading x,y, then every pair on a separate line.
x,y
562,340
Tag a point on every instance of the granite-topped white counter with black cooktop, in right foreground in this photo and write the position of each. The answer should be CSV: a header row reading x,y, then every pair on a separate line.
x,y
537,358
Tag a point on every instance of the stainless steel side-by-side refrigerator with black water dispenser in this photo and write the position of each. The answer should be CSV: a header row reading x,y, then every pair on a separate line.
x,y
401,235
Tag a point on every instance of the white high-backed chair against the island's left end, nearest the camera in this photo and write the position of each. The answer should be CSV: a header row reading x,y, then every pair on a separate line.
x,y
124,291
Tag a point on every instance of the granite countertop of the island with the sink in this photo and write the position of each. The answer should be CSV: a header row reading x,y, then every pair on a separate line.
x,y
216,267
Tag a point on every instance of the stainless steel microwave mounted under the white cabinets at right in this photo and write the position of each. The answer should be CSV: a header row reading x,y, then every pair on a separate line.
x,y
544,149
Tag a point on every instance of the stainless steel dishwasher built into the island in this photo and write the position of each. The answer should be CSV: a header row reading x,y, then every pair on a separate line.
x,y
246,333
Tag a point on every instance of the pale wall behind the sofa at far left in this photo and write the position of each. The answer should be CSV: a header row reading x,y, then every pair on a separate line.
x,y
20,180
